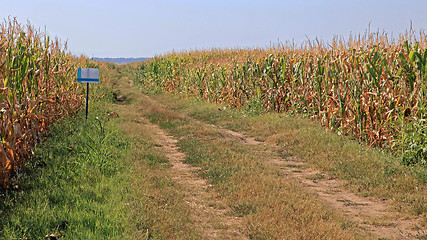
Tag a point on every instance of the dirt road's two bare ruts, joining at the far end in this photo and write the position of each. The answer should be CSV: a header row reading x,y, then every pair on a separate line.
x,y
212,214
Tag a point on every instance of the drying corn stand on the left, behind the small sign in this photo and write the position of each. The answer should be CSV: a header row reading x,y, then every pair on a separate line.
x,y
36,87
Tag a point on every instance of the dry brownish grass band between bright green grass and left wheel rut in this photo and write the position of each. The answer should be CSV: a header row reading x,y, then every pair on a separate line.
x,y
156,206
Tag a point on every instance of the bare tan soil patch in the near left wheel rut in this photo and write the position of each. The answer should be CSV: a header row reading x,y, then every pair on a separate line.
x,y
209,212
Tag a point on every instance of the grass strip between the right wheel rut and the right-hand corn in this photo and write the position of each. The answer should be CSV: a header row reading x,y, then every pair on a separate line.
x,y
369,171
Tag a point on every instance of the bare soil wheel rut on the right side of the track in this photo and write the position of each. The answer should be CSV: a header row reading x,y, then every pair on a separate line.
x,y
374,216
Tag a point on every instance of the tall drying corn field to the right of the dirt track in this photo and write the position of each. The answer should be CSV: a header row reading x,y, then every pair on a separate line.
x,y
371,86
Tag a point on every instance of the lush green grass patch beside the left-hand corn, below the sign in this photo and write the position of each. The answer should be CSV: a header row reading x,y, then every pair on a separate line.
x,y
74,184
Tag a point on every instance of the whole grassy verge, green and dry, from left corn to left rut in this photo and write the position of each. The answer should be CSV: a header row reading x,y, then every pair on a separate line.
x,y
96,179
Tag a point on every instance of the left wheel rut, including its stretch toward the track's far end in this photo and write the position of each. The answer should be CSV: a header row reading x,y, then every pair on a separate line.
x,y
209,213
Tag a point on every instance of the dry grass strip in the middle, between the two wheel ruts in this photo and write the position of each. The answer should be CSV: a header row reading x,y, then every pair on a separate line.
x,y
272,207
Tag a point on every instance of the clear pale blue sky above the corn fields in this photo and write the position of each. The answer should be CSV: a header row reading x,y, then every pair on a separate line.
x,y
125,28
